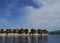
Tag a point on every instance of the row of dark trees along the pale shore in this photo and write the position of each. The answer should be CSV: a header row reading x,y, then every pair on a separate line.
x,y
26,31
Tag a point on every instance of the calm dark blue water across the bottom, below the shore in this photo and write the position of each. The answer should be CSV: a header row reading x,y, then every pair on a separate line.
x,y
31,39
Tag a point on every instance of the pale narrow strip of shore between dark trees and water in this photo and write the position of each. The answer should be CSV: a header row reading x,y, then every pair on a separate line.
x,y
15,34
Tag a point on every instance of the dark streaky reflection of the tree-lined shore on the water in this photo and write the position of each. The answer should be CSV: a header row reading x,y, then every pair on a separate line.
x,y
24,39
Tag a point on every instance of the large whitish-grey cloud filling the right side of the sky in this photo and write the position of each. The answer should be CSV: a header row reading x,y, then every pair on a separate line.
x,y
47,16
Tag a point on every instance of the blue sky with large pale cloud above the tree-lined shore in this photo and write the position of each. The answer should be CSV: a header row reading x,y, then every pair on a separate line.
x,y
37,14
